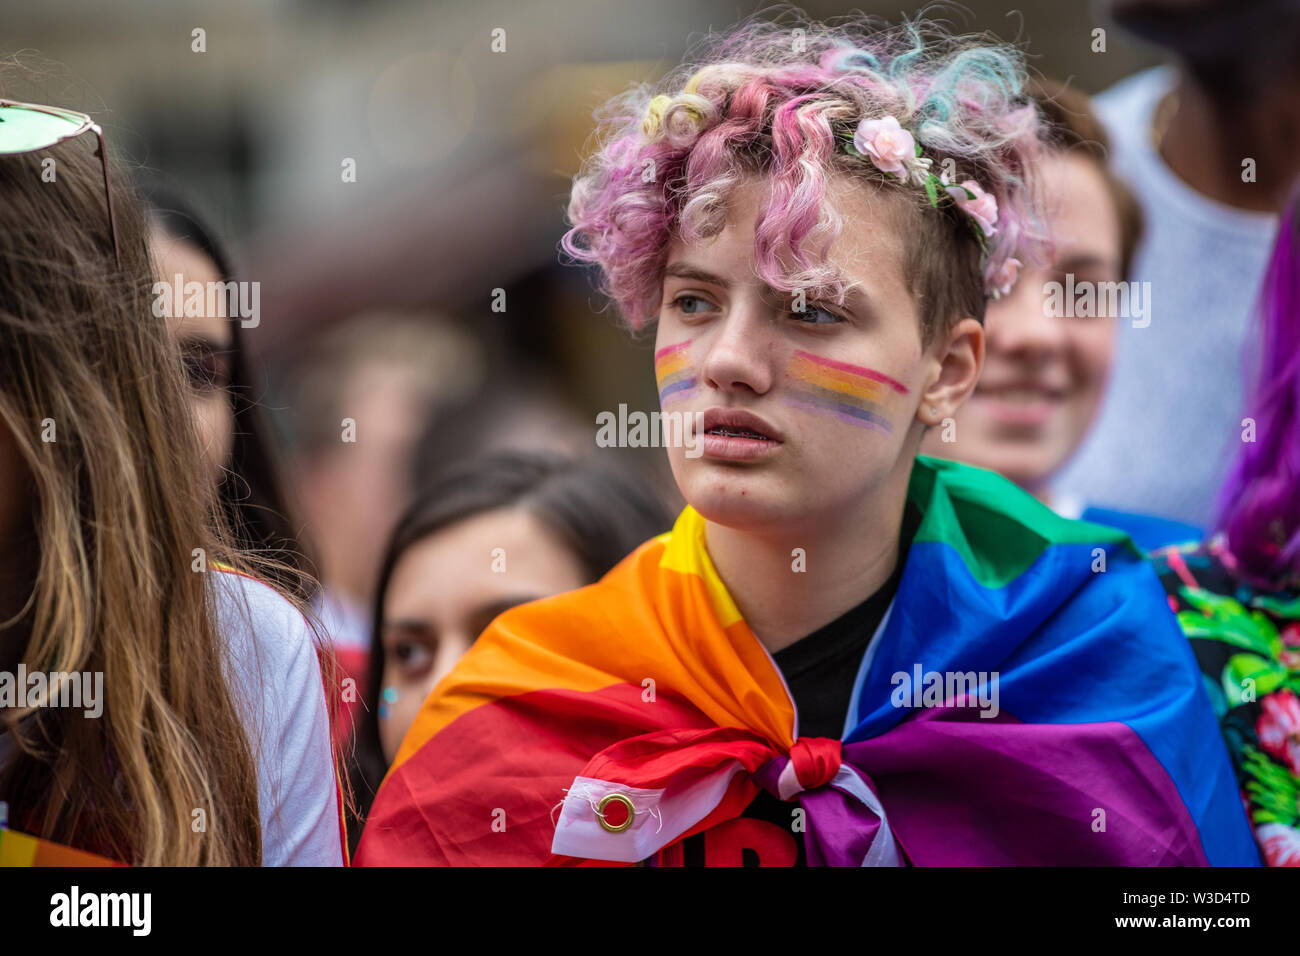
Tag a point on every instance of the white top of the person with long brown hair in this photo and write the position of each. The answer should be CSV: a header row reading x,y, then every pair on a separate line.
x,y
276,680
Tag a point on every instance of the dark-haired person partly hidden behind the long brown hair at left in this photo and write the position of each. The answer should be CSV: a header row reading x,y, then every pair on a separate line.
x,y
227,391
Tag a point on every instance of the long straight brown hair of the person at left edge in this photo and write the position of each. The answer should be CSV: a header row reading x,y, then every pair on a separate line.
x,y
120,507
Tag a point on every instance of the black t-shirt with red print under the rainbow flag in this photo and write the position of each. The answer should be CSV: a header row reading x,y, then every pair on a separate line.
x,y
820,671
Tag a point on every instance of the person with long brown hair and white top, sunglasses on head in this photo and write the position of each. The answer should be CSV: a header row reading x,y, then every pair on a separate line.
x,y
211,689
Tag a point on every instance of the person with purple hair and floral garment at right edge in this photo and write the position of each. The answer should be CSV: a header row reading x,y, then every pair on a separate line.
x,y
1238,595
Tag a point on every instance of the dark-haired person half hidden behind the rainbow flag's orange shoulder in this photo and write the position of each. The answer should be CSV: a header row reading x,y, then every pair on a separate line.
x,y
483,537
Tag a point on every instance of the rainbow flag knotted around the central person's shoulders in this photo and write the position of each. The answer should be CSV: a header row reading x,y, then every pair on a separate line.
x,y
610,724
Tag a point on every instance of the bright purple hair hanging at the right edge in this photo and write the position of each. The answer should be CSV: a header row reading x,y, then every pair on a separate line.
x,y
1260,503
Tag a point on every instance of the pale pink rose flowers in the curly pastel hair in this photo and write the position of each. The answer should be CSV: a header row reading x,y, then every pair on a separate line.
x,y
895,152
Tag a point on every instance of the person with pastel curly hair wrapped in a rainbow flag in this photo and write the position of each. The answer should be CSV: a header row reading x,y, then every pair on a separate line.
x,y
843,654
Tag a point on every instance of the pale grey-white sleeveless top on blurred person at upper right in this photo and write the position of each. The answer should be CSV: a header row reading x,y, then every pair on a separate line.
x,y
1172,417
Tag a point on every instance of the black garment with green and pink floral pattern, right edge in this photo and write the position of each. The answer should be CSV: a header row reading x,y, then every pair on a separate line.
x,y
1247,642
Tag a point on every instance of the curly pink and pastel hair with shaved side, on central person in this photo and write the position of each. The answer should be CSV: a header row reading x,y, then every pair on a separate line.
x,y
779,100
